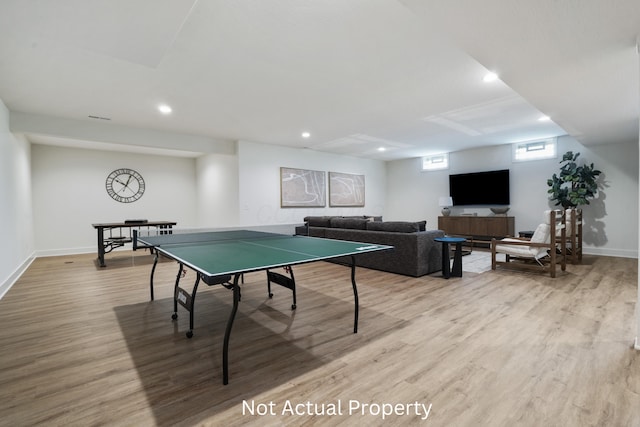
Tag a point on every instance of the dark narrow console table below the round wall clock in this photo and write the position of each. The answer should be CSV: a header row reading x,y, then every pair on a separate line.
x,y
110,235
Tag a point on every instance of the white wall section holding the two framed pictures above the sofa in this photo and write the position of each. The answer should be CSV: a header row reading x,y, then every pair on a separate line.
x,y
259,182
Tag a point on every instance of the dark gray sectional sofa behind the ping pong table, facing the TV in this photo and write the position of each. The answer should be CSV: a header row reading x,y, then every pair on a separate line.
x,y
414,254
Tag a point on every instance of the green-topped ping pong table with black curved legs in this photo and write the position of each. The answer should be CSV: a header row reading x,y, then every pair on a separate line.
x,y
217,256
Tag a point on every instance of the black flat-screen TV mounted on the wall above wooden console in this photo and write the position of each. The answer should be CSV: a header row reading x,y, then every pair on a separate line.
x,y
480,188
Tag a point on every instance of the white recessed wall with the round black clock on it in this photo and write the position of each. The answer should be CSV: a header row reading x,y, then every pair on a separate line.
x,y
69,194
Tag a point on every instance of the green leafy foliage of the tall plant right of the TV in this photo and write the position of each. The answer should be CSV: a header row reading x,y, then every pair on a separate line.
x,y
575,185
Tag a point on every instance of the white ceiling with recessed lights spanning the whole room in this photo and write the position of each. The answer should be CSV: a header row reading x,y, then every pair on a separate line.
x,y
357,74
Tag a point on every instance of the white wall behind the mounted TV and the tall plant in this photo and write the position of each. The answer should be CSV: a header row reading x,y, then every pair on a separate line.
x,y
611,220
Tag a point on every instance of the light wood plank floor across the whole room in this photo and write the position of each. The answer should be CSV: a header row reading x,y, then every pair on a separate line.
x,y
80,345
